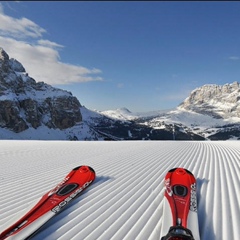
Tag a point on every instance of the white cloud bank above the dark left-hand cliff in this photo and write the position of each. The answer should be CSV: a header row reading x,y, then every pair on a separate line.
x,y
23,40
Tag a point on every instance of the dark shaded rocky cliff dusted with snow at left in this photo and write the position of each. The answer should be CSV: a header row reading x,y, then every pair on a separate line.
x,y
26,103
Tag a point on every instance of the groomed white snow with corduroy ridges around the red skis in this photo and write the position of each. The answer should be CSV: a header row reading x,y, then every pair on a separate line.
x,y
125,200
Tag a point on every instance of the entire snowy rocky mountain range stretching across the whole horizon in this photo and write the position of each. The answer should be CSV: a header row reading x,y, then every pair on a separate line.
x,y
36,110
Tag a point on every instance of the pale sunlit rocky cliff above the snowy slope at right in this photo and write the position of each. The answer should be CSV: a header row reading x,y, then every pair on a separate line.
x,y
214,100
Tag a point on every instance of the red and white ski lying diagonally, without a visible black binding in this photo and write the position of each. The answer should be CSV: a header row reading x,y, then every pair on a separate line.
x,y
50,204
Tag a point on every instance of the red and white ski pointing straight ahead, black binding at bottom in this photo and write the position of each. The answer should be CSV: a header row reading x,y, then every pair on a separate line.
x,y
180,205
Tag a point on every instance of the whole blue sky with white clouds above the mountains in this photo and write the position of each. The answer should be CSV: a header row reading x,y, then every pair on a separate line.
x,y
143,55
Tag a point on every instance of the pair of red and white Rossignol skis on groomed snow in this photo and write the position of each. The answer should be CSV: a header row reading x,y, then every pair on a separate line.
x,y
179,212
